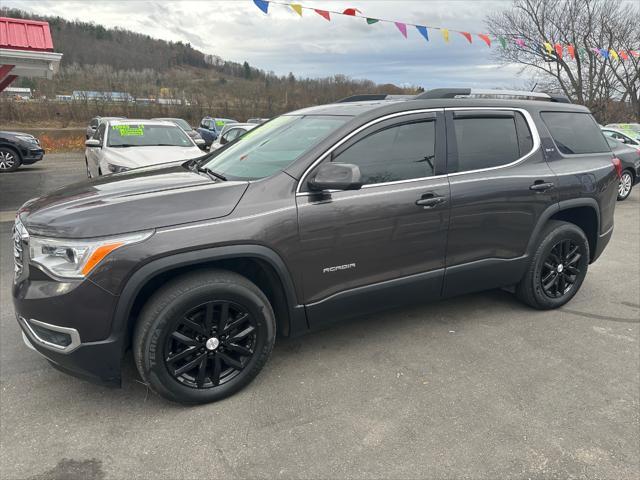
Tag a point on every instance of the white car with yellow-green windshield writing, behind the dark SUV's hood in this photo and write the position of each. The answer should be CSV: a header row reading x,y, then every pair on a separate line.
x,y
121,145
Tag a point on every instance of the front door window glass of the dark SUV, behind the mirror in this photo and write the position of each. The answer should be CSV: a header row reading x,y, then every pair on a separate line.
x,y
400,152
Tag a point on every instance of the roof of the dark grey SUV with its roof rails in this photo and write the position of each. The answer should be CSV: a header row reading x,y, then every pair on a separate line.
x,y
383,107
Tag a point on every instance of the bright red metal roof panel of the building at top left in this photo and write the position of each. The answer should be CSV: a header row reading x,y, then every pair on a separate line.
x,y
18,34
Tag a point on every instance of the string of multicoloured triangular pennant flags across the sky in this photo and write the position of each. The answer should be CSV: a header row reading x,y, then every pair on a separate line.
x,y
554,50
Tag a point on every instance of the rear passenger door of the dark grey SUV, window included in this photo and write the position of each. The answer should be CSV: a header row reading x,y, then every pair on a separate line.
x,y
500,184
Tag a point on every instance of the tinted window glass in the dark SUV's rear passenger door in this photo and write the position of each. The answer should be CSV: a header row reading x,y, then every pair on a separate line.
x,y
490,141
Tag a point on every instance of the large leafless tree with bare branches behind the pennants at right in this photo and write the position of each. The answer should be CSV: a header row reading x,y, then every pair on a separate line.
x,y
573,28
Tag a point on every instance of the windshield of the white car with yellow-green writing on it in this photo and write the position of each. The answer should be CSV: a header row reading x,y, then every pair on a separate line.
x,y
144,135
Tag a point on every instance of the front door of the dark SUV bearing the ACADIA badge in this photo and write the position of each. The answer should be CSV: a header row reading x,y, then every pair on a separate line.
x,y
383,245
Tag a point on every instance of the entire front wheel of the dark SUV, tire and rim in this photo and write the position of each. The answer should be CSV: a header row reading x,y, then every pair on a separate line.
x,y
204,336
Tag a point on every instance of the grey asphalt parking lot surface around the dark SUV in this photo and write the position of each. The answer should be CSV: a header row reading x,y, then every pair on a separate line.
x,y
475,387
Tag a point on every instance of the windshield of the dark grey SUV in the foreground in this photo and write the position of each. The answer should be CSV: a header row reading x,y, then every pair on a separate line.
x,y
272,146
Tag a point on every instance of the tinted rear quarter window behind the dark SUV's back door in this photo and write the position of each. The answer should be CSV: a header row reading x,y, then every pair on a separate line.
x,y
575,133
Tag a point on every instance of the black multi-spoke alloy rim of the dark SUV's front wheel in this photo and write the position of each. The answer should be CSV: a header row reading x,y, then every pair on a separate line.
x,y
210,344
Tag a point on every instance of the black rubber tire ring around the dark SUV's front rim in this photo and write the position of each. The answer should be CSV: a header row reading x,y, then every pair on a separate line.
x,y
155,369
